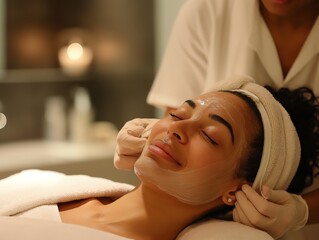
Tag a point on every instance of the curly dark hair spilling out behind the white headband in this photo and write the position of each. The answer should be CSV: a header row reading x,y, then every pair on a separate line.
x,y
303,108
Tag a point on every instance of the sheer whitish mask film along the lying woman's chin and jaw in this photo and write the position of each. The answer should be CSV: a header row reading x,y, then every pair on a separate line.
x,y
191,187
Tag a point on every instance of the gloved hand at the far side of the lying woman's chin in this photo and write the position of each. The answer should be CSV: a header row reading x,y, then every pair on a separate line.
x,y
131,140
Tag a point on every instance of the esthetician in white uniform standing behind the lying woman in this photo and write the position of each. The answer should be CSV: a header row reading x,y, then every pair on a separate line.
x,y
275,42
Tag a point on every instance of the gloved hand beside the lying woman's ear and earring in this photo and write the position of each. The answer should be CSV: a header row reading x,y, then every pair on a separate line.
x,y
279,213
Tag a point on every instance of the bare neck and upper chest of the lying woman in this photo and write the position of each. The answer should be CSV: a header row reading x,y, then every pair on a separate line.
x,y
148,213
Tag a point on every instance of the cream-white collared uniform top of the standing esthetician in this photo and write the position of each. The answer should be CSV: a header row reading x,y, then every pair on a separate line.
x,y
215,39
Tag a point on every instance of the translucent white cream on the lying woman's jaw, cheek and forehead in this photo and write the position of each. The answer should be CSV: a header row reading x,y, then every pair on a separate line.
x,y
197,185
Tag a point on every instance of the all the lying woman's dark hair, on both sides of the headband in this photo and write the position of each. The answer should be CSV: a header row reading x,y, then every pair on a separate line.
x,y
303,107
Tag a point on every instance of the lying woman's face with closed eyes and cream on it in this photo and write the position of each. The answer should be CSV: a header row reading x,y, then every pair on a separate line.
x,y
199,145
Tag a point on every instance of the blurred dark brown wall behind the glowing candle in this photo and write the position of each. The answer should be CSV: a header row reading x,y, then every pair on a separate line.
x,y
121,35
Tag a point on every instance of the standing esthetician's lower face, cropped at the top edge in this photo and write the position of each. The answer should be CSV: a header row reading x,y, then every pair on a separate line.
x,y
286,8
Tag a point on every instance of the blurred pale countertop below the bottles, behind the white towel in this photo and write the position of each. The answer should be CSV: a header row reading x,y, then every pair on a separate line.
x,y
91,158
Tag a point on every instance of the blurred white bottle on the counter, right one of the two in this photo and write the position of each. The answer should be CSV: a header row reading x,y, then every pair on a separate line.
x,y
81,116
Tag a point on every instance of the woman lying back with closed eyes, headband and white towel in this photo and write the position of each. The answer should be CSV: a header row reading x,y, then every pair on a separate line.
x,y
192,165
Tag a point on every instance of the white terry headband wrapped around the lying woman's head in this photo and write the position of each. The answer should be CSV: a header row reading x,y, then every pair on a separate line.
x,y
281,150
